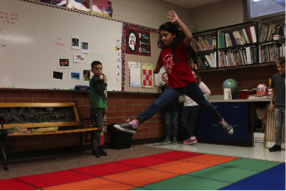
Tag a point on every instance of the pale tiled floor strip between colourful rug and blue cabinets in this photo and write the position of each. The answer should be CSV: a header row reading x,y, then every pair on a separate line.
x,y
244,152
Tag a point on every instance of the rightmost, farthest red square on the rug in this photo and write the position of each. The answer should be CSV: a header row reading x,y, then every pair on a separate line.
x,y
175,155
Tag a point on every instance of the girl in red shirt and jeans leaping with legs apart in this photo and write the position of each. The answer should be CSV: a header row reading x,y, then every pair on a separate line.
x,y
175,55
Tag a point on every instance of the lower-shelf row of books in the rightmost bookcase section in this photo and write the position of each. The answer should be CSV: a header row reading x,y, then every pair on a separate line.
x,y
270,53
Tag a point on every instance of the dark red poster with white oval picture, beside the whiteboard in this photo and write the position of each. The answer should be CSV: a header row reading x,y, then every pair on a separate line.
x,y
138,42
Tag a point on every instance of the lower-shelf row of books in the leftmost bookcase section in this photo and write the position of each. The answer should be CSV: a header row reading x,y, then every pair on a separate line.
x,y
205,62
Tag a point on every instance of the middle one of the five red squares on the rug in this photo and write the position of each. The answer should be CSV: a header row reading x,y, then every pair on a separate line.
x,y
104,169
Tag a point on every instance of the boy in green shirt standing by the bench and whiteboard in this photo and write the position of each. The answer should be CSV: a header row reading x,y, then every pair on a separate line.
x,y
98,103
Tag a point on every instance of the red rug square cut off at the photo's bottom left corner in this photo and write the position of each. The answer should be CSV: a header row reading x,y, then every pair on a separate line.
x,y
12,184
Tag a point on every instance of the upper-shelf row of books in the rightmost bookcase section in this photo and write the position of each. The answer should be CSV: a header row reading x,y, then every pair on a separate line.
x,y
266,32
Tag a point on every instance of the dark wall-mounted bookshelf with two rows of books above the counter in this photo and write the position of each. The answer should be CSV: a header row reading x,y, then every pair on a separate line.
x,y
248,44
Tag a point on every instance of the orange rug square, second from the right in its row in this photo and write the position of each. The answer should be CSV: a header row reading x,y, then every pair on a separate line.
x,y
179,167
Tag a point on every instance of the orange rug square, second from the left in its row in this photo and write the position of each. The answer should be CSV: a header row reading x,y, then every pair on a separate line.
x,y
140,177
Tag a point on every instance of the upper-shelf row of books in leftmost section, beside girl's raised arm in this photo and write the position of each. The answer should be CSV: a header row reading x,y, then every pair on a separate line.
x,y
203,44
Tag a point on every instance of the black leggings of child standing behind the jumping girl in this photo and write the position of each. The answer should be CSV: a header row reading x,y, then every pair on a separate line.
x,y
189,116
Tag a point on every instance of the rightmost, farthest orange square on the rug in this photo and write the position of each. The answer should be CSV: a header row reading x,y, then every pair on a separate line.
x,y
210,159
